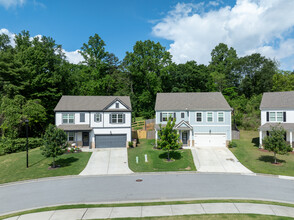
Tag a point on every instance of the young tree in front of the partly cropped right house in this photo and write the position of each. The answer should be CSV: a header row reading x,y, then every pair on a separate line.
x,y
275,142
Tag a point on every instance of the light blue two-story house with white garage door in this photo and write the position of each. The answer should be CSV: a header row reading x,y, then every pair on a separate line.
x,y
202,119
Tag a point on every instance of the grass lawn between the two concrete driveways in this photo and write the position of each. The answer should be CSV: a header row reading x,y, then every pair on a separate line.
x,y
183,160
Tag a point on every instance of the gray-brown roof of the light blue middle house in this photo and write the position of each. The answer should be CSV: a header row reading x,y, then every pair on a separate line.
x,y
191,101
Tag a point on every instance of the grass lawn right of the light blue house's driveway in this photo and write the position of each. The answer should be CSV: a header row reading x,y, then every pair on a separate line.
x,y
258,160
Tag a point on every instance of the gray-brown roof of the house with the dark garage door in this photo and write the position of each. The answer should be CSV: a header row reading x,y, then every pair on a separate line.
x,y
90,103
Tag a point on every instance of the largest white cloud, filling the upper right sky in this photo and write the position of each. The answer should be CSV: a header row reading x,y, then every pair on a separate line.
x,y
249,26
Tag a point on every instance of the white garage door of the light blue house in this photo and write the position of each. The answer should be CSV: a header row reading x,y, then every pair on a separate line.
x,y
210,140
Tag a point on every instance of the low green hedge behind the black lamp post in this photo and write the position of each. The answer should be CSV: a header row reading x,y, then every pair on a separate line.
x,y
8,146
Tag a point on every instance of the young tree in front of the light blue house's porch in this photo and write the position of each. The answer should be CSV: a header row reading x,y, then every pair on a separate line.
x,y
168,137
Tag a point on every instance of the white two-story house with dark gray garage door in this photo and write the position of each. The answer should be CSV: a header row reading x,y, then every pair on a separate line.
x,y
95,121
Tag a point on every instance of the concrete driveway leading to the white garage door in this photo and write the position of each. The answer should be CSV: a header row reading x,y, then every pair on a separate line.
x,y
217,159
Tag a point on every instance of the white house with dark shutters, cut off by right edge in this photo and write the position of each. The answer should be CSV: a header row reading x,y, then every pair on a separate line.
x,y
277,109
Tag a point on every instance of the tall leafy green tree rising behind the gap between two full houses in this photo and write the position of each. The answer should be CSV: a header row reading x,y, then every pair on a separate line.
x,y
146,68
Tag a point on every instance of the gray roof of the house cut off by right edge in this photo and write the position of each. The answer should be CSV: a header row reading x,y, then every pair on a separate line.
x,y
277,100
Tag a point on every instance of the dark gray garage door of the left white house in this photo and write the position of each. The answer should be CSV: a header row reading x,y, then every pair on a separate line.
x,y
107,141
